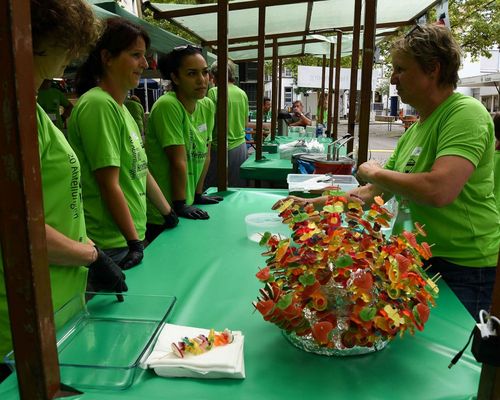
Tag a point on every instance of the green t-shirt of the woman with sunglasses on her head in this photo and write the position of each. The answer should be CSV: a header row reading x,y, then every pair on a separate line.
x,y
170,124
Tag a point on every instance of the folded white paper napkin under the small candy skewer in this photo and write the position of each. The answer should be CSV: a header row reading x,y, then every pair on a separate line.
x,y
220,362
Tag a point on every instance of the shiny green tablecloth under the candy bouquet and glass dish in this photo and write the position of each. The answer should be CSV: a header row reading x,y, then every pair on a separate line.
x,y
210,266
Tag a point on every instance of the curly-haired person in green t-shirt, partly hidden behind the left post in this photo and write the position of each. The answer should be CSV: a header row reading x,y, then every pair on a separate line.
x,y
61,29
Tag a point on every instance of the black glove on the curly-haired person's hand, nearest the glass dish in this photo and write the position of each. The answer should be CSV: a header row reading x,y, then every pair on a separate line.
x,y
105,275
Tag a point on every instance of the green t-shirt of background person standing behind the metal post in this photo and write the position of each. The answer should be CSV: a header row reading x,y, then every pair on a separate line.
x,y
237,111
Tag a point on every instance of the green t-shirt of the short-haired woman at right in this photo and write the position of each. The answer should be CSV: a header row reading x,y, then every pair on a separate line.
x,y
465,232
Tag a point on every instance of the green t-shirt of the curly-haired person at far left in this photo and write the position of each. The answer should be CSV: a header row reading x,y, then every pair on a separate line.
x,y
63,210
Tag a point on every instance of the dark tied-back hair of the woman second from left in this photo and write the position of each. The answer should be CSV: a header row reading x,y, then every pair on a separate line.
x,y
119,34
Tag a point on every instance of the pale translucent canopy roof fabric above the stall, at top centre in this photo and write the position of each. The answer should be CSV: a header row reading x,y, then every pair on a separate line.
x,y
326,15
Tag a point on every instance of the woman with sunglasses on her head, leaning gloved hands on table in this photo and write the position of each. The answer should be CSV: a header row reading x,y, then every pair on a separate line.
x,y
179,134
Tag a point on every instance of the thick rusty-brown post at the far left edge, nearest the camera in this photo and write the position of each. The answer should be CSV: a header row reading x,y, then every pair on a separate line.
x,y
22,226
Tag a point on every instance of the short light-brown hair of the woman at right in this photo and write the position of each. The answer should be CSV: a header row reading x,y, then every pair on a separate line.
x,y
429,45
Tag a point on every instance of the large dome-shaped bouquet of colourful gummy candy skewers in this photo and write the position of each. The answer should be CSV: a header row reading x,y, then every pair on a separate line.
x,y
339,281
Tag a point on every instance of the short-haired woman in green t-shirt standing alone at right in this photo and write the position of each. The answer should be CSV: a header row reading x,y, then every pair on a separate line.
x,y
441,169
